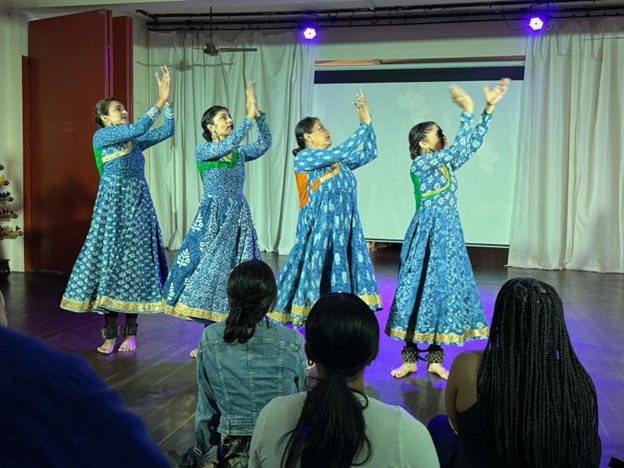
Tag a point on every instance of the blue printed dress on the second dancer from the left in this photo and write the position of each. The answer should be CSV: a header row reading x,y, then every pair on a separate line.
x,y
222,234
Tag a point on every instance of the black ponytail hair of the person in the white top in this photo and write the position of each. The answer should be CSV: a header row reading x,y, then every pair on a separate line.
x,y
342,337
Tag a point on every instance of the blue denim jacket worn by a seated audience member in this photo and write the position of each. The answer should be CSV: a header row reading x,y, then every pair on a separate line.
x,y
237,380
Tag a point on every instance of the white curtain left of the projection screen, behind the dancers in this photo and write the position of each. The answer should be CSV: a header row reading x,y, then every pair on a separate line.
x,y
283,69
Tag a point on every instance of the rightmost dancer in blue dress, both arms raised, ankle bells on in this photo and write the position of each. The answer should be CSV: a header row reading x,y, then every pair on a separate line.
x,y
437,301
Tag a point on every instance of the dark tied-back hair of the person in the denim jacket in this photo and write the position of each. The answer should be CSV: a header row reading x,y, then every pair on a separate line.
x,y
252,293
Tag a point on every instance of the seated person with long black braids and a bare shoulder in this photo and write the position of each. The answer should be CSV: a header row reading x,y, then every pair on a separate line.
x,y
526,400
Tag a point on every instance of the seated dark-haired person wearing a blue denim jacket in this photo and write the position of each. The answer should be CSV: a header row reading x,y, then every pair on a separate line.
x,y
242,364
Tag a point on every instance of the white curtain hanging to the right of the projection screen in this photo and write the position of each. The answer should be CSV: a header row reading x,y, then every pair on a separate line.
x,y
569,195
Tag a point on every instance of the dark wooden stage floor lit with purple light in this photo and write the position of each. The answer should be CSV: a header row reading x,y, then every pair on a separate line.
x,y
158,383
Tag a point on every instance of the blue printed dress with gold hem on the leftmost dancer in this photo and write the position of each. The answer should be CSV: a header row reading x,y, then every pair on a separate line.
x,y
122,265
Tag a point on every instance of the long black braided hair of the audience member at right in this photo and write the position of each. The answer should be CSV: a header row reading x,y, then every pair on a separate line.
x,y
537,402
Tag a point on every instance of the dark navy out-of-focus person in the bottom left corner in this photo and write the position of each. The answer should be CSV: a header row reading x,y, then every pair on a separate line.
x,y
56,412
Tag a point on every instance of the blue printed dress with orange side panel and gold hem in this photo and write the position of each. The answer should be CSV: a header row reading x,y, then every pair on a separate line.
x,y
330,253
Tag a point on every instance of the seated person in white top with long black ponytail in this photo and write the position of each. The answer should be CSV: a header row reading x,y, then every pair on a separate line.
x,y
334,424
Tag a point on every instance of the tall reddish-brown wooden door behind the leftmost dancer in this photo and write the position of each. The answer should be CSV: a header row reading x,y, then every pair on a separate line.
x,y
71,68
